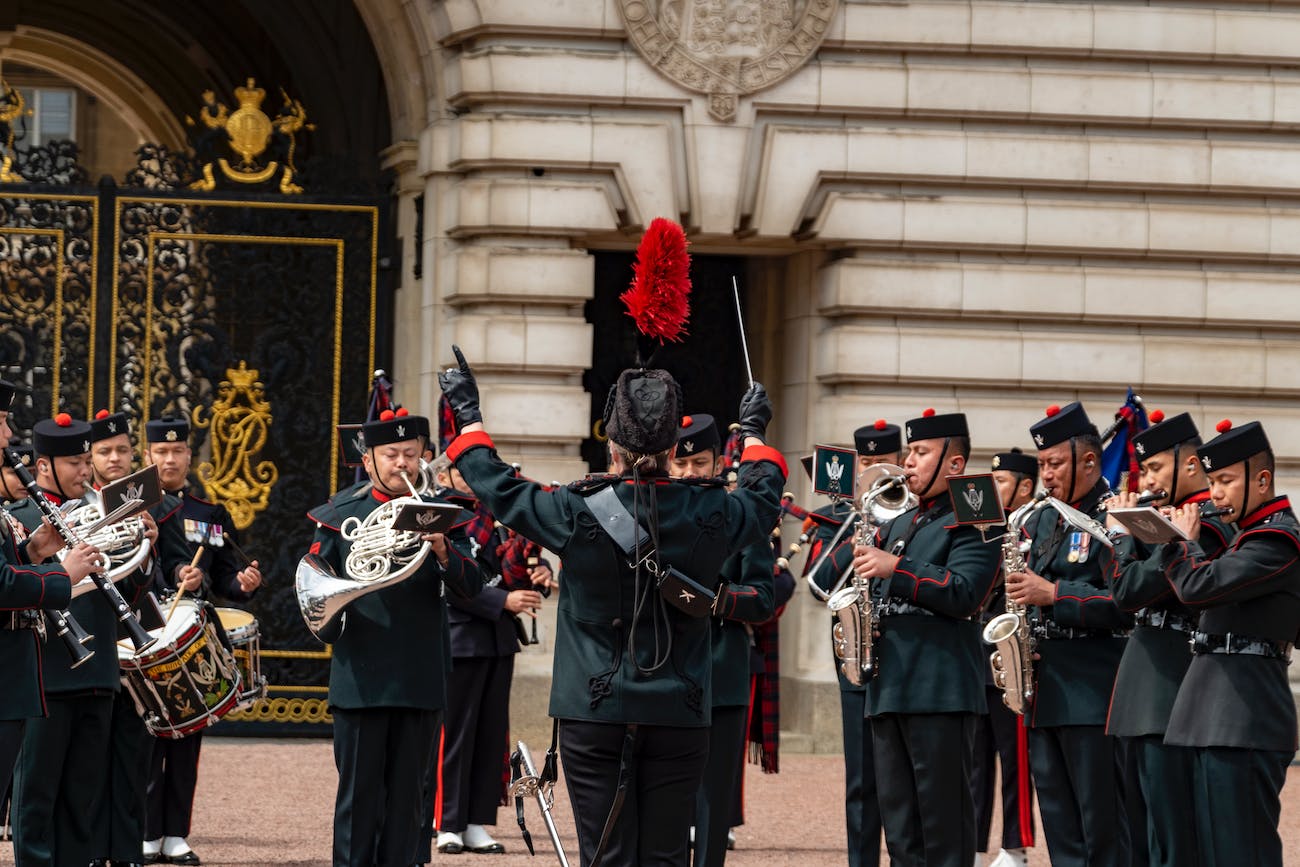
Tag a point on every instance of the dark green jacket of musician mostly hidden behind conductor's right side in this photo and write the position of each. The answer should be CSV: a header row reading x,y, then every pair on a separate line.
x,y
748,596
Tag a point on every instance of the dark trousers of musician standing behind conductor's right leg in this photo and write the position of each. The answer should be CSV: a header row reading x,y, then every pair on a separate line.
x,y
716,800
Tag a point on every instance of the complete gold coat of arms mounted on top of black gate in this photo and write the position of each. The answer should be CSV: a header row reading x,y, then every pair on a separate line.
x,y
249,132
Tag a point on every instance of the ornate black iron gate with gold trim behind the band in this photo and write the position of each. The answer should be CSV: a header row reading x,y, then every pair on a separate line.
x,y
258,315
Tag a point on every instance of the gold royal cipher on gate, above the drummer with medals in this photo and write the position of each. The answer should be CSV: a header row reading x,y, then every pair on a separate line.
x,y
241,422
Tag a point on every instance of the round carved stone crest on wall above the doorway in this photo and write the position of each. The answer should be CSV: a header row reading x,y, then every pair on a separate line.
x,y
727,49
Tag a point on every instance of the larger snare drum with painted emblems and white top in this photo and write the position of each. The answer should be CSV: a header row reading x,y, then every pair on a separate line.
x,y
188,680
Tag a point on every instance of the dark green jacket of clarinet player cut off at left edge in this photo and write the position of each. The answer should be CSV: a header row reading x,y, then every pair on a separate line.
x,y
25,587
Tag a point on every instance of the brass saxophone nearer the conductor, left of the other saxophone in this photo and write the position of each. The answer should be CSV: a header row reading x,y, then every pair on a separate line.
x,y
887,497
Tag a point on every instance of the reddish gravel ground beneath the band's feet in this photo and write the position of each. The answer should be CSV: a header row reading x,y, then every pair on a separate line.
x,y
270,803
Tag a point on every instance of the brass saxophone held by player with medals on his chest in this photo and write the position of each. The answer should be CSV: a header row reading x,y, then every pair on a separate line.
x,y
1009,634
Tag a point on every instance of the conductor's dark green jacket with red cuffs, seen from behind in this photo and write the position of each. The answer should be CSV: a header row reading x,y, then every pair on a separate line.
x,y
700,526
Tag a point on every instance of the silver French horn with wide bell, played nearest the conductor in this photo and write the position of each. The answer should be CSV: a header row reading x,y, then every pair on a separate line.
x,y
380,557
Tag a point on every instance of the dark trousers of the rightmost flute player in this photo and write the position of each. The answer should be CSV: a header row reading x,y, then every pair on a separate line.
x,y
1238,805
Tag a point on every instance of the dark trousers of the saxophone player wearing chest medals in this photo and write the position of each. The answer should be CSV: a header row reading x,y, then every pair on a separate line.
x,y
1077,771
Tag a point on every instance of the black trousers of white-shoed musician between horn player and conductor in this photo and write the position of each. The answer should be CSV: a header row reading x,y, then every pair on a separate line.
x,y
475,743
